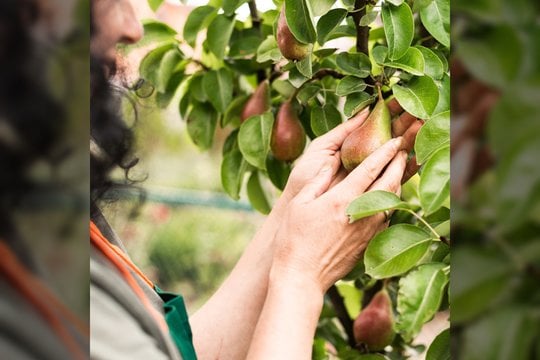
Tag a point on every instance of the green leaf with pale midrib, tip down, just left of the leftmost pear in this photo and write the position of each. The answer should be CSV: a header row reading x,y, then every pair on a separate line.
x,y
218,86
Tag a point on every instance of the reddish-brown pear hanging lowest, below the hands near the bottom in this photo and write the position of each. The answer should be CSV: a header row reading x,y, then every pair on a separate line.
x,y
374,327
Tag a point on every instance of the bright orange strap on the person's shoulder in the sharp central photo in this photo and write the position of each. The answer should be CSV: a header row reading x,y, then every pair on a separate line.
x,y
121,262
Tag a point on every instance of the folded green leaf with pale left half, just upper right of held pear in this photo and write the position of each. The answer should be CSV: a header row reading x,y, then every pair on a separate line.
x,y
419,97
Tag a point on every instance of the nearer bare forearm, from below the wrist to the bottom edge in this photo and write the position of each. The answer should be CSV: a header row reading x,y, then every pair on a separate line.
x,y
289,319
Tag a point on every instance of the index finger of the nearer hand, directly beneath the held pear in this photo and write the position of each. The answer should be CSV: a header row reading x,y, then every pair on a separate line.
x,y
368,171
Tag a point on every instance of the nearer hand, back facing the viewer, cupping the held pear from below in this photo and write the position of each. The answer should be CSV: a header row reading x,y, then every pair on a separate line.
x,y
316,242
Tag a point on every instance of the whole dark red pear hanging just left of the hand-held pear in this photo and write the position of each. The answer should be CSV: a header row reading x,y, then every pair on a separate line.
x,y
288,136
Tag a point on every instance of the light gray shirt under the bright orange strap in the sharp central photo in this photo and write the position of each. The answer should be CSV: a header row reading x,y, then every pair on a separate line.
x,y
120,325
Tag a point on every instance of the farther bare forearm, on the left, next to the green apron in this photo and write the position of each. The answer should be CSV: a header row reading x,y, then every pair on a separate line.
x,y
223,327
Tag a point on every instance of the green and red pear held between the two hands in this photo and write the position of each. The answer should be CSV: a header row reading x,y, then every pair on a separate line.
x,y
372,134
